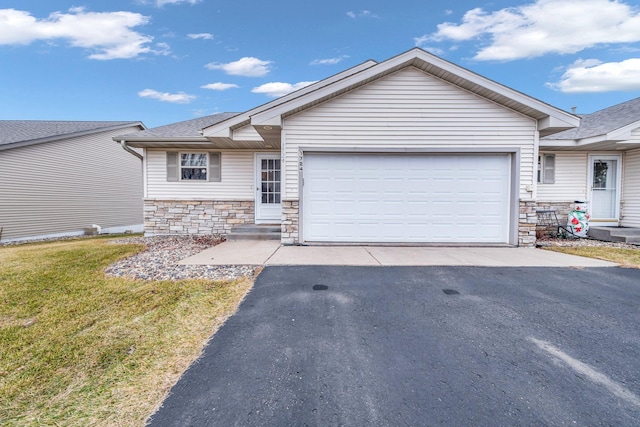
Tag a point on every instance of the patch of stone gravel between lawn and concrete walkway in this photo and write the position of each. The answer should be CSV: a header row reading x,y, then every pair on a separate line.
x,y
159,261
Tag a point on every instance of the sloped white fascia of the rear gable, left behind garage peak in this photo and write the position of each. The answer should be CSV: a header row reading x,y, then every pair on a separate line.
x,y
246,116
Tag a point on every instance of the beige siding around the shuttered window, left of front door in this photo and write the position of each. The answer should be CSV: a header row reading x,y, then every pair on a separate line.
x,y
236,181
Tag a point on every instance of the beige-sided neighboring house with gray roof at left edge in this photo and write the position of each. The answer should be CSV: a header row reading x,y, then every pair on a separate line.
x,y
58,178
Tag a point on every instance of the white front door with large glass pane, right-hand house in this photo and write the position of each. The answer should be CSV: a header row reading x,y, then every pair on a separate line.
x,y
604,182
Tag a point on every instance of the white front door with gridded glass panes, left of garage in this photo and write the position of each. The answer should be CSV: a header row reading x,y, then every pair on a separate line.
x,y
268,196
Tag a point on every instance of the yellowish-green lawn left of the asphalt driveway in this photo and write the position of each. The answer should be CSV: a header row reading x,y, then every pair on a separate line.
x,y
78,348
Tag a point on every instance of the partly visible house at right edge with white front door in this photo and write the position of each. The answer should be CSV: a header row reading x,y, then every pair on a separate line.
x,y
598,162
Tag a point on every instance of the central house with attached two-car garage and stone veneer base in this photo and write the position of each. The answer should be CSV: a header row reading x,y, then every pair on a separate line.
x,y
412,149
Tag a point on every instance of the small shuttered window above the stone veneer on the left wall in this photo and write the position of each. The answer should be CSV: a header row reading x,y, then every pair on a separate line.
x,y
187,166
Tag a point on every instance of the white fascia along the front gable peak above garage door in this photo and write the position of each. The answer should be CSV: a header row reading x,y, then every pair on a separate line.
x,y
565,119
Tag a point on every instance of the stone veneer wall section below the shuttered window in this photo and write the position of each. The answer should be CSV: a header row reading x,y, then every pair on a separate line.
x,y
195,216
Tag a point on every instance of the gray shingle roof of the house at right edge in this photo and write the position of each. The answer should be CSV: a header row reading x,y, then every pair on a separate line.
x,y
603,121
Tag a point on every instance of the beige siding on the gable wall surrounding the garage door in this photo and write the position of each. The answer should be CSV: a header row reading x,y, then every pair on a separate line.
x,y
408,110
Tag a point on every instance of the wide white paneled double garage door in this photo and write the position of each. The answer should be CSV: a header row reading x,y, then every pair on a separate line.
x,y
406,198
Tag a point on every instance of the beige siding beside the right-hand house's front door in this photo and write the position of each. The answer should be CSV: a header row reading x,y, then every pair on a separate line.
x,y
570,178
